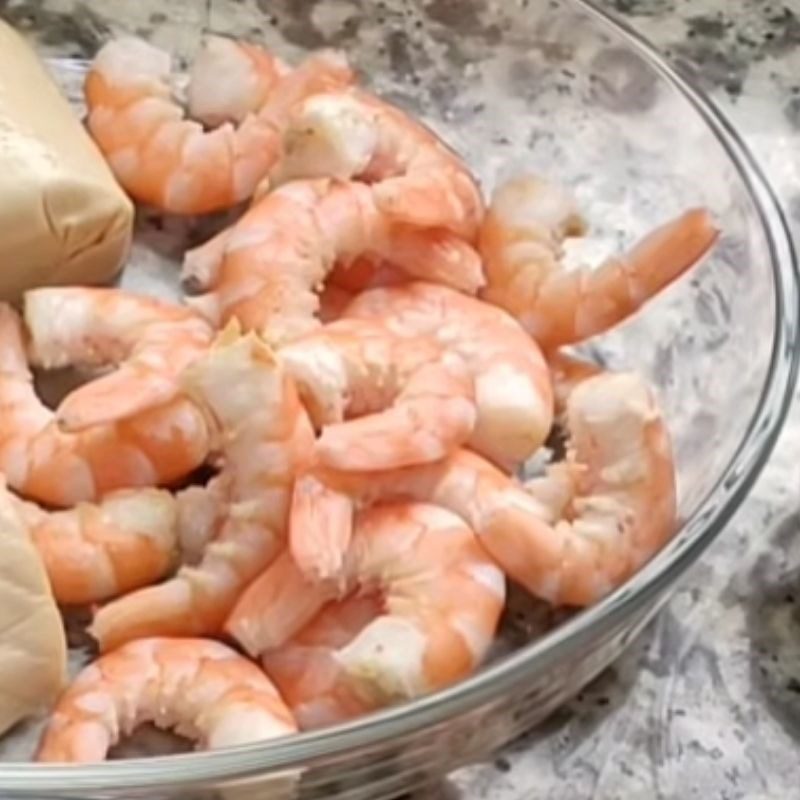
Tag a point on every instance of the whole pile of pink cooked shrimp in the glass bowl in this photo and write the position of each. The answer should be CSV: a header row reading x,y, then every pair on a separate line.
x,y
365,360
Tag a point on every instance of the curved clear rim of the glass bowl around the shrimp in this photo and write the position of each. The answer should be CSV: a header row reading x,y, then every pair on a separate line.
x,y
558,646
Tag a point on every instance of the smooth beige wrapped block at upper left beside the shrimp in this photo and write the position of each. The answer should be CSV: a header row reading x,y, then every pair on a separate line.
x,y
63,217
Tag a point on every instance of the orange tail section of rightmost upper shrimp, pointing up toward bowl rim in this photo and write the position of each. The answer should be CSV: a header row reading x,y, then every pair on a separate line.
x,y
575,305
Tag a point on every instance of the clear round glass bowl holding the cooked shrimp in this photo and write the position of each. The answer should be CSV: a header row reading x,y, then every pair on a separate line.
x,y
561,88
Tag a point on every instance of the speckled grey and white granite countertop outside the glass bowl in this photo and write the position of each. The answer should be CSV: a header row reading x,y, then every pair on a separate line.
x,y
695,709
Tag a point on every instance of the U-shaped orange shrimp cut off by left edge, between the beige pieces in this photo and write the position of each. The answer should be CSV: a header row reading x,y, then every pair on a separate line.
x,y
156,447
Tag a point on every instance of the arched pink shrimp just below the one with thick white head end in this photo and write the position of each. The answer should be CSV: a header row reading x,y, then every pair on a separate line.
x,y
275,260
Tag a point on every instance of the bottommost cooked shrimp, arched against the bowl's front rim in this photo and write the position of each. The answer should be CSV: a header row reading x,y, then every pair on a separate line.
x,y
202,689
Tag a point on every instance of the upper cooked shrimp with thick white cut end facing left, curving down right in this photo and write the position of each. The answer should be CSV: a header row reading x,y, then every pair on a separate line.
x,y
418,180
